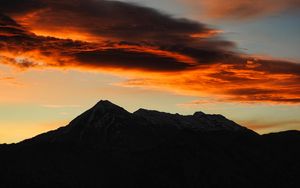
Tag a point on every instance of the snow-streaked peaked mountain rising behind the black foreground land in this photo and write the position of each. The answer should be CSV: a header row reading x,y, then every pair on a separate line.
x,y
108,125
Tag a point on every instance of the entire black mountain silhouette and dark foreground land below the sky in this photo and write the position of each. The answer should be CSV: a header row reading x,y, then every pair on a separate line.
x,y
107,146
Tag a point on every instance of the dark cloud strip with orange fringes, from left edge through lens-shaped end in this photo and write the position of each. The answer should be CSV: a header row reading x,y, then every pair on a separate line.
x,y
107,54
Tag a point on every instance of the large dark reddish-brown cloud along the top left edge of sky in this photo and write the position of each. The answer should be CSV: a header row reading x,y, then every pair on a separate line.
x,y
113,19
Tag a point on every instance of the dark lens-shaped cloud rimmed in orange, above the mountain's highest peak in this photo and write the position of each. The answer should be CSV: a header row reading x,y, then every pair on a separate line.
x,y
130,59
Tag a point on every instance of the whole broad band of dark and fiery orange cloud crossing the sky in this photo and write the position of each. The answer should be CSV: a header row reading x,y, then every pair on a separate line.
x,y
152,49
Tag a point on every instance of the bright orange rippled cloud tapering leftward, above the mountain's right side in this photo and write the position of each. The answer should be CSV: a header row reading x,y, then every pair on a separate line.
x,y
227,83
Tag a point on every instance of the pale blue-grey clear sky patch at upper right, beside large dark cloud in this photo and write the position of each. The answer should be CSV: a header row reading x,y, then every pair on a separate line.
x,y
277,35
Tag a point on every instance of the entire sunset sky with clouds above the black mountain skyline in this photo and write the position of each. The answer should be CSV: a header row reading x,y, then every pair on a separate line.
x,y
60,57
